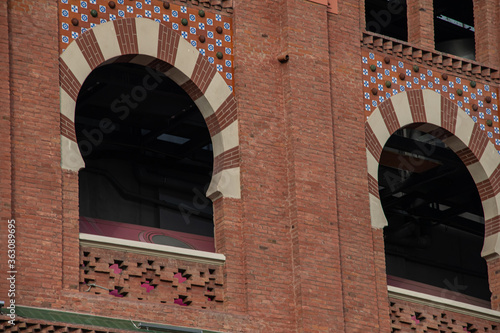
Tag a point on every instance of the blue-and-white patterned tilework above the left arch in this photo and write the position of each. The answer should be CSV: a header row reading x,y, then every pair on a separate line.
x,y
197,26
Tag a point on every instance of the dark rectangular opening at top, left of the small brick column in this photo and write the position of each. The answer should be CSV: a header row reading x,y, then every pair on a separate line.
x,y
387,17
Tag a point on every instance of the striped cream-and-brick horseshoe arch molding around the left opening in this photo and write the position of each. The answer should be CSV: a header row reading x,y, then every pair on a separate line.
x,y
146,42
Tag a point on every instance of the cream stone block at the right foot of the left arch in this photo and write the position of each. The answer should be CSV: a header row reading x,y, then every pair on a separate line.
x,y
226,184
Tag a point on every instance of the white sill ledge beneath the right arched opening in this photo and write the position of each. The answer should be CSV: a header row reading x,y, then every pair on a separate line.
x,y
444,304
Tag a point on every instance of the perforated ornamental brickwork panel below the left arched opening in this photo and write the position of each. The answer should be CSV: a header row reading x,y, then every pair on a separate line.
x,y
153,279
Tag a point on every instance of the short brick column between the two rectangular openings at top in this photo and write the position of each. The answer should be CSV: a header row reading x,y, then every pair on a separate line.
x,y
421,23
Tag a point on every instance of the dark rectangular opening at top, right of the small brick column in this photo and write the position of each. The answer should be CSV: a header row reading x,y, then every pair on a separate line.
x,y
454,27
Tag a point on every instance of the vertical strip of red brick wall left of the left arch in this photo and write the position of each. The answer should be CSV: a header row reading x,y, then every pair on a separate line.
x,y
36,173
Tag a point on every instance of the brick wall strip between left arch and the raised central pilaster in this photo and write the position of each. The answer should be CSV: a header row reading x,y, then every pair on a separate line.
x,y
265,215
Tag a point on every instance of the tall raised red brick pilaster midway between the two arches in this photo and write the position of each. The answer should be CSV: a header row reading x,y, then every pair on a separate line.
x,y
310,167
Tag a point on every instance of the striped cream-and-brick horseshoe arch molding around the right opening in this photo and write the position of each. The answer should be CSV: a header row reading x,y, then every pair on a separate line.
x,y
434,112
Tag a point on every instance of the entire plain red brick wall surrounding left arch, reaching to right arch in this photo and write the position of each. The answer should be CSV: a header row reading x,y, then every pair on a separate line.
x,y
301,253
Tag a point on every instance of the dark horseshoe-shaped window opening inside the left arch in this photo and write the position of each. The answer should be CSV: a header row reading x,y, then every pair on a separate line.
x,y
148,159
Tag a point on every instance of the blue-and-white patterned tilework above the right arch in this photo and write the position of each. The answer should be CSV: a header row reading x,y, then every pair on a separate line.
x,y
428,78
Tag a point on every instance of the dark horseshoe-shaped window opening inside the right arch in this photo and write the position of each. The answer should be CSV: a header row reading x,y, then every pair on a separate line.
x,y
435,230
